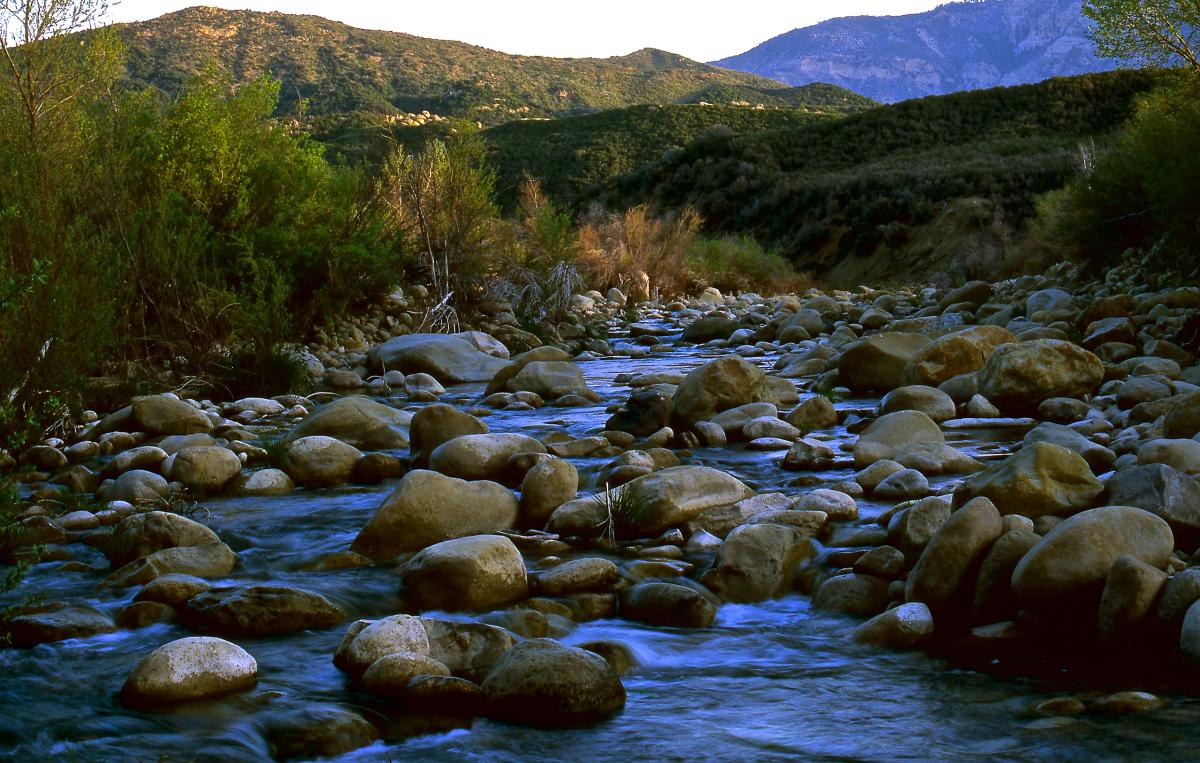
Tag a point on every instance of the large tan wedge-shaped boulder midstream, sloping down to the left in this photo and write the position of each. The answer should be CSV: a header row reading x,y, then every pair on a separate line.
x,y
428,508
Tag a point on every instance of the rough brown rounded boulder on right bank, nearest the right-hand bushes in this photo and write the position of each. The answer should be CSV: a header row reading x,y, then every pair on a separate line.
x,y
1019,377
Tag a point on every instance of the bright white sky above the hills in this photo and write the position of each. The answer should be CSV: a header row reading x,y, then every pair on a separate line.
x,y
704,31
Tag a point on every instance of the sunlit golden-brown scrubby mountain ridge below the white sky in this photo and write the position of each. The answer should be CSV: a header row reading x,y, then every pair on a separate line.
x,y
338,70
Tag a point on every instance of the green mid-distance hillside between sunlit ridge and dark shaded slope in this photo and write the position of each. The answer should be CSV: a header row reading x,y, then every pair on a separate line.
x,y
575,157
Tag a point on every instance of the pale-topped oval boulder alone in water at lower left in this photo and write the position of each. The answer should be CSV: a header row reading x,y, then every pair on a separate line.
x,y
190,669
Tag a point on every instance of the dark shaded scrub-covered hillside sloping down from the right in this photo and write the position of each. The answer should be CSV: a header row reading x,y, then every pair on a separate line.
x,y
866,187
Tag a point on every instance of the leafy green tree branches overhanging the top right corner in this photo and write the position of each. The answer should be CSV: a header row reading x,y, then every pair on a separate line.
x,y
1160,33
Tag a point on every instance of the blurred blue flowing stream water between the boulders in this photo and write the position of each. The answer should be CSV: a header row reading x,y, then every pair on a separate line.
x,y
775,681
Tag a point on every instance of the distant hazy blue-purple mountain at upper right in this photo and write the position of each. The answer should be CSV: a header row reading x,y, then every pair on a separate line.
x,y
959,46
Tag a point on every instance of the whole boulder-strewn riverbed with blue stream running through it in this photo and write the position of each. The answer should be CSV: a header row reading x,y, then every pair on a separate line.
x,y
878,524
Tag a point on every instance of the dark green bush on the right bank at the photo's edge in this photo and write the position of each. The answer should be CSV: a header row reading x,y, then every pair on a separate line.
x,y
1144,191
